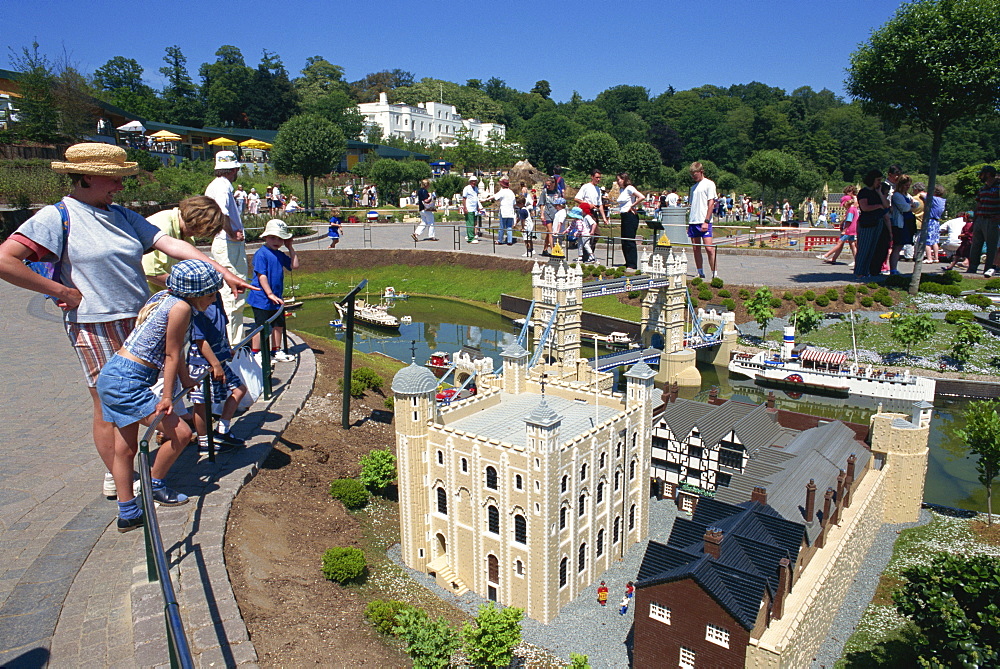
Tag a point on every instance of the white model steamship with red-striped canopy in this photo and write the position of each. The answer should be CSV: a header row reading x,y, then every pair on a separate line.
x,y
810,369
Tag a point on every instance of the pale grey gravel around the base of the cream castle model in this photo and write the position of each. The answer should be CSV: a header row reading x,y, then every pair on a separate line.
x,y
582,626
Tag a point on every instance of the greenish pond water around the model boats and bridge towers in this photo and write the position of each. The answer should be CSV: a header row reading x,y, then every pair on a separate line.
x,y
447,325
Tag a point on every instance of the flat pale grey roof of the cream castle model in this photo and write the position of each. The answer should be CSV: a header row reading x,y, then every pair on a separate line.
x,y
504,421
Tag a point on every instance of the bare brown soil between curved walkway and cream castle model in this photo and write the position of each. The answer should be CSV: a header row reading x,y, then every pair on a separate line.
x,y
282,522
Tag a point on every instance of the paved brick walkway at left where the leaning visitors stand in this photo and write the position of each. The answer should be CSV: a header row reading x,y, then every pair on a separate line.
x,y
73,591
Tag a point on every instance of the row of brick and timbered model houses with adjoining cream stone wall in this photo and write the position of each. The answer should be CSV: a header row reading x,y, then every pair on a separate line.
x,y
755,576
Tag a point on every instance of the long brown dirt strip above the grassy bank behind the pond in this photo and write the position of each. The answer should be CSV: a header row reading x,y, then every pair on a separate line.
x,y
320,260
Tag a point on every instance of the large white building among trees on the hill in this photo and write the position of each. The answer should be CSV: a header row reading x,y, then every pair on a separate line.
x,y
431,122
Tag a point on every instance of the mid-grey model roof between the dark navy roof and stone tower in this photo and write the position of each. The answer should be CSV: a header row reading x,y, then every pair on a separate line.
x,y
818,453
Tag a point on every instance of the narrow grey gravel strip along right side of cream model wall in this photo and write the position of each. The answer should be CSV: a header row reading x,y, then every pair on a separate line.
x,y
861,591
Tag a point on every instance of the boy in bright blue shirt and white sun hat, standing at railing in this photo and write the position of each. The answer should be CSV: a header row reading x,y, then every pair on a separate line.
x,y
269,265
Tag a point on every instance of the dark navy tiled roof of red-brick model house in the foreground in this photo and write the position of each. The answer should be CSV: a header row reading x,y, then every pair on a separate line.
x,y
754,539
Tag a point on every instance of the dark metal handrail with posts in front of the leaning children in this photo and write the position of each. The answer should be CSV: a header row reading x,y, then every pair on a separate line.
x,y
156,559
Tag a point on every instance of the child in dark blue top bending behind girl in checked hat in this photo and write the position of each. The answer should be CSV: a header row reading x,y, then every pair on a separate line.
x,y
210,349
